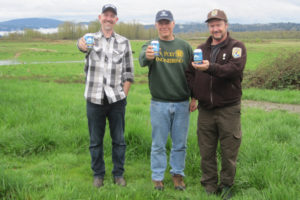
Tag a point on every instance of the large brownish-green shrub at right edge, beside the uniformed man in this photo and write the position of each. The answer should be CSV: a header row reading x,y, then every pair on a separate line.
x,y
282,72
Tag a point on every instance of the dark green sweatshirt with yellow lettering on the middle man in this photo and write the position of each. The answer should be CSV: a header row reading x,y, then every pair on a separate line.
x,y
166,75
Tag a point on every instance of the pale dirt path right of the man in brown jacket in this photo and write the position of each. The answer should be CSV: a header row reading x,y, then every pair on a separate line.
x,y
268,106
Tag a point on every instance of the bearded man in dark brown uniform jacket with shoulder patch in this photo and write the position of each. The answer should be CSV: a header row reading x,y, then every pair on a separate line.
x,y
216,84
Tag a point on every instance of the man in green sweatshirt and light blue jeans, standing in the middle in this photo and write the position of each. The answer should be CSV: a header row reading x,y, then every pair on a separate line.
x,y
170,100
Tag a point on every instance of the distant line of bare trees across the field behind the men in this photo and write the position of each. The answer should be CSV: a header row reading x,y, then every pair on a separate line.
x,y
137,31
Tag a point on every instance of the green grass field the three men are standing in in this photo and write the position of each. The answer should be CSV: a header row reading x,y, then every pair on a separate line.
x,y
44,137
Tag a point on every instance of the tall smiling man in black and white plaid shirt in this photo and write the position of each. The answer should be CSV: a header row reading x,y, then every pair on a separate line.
x,y
109,74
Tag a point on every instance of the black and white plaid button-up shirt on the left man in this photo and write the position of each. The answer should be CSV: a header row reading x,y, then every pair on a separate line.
x,y
107,66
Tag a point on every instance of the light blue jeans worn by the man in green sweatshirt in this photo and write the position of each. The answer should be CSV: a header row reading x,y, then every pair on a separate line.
x,y
168,117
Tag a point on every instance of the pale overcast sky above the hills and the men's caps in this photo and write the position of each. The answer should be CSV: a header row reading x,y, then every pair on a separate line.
x,y
143,11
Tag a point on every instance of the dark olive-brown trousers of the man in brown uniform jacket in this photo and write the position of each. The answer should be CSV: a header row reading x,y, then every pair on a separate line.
x,y
224,125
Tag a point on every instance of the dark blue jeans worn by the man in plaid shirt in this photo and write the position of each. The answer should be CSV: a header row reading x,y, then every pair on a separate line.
x,y
97,115
